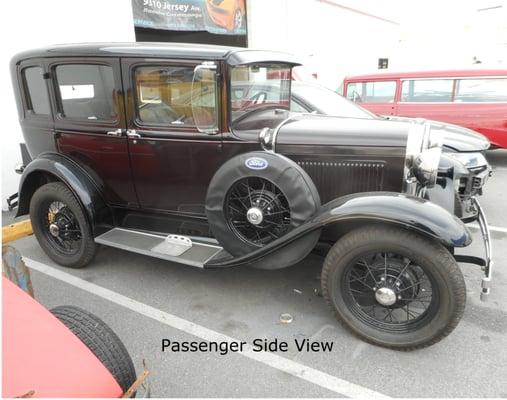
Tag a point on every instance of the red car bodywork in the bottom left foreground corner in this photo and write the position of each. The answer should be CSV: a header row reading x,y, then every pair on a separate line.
x,y
41,354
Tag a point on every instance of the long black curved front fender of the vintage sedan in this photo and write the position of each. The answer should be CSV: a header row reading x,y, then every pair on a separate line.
x,y
348,212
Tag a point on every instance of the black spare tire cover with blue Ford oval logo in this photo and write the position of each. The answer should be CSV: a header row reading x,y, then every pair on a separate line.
x,y
295,184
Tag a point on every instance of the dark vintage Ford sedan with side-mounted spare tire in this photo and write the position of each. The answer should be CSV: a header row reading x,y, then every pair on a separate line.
x,y
163,150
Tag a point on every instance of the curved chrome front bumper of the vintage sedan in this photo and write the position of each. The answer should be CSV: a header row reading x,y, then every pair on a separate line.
x,y
486,263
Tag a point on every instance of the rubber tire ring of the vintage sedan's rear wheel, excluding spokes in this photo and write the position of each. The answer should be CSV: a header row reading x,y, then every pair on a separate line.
x,y
58,191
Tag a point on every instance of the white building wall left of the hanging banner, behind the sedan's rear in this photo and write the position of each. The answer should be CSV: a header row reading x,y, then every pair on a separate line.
x,y
35,23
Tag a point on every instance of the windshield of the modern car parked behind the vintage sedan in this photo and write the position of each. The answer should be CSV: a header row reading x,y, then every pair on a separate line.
x,y
328,102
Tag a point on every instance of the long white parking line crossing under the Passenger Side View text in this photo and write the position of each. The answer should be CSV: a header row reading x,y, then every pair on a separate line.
x,y
322,379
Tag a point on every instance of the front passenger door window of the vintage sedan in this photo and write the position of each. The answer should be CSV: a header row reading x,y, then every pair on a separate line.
x,y
164,95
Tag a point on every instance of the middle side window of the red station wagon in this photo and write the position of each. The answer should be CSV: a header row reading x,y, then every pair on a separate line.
x,y
427,90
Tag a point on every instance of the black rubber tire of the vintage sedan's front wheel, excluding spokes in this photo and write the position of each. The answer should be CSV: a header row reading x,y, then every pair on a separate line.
x,y
437,261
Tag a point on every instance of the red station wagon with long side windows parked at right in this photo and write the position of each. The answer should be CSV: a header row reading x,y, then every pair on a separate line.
x,y
475,99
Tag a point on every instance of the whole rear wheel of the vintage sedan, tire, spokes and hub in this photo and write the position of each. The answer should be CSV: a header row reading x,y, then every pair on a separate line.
x,y
60,226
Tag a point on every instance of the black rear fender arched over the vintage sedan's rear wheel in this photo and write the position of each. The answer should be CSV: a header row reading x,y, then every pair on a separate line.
x,y
52,166
